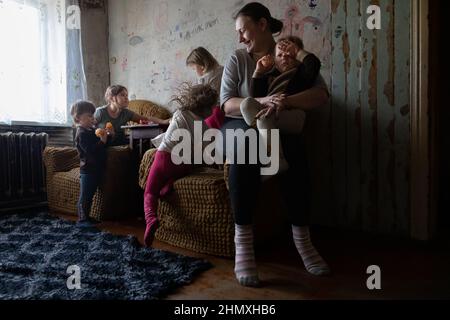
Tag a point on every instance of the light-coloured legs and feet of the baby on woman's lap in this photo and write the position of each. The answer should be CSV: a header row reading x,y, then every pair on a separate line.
x,y
249,109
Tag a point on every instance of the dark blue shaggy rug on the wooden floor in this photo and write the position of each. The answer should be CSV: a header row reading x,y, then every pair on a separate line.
x,y
36,251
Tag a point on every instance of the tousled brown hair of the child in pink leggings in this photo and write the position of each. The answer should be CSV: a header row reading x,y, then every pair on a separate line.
x,y
198,99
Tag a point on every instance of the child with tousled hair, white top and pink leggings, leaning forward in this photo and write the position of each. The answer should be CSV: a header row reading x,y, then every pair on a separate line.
x,y
197,104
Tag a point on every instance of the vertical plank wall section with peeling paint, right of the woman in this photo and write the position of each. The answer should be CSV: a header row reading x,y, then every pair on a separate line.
x,y
360,145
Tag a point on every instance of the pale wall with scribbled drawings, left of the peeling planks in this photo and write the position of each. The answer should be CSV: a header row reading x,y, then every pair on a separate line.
x,y
150,39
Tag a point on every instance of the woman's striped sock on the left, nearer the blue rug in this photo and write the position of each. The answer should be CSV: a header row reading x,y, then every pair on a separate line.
x,y
245,265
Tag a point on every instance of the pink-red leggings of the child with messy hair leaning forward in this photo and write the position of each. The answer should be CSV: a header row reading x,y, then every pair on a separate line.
x,y
162,172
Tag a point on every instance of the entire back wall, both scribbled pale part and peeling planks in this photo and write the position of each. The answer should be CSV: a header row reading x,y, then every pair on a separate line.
x,y
358,144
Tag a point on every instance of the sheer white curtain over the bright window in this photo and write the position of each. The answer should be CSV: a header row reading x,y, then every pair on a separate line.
x,y
41,65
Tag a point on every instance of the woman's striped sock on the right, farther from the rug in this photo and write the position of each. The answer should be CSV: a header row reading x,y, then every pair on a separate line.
x,y
311,258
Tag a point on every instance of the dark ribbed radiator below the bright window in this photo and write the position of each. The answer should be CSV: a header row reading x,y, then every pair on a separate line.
x,y
21,167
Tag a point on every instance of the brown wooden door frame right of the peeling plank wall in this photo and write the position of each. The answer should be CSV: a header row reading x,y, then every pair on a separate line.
x,y
422,223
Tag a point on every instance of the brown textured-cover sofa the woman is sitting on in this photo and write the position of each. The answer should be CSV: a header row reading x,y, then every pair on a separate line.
x,y
197,215
